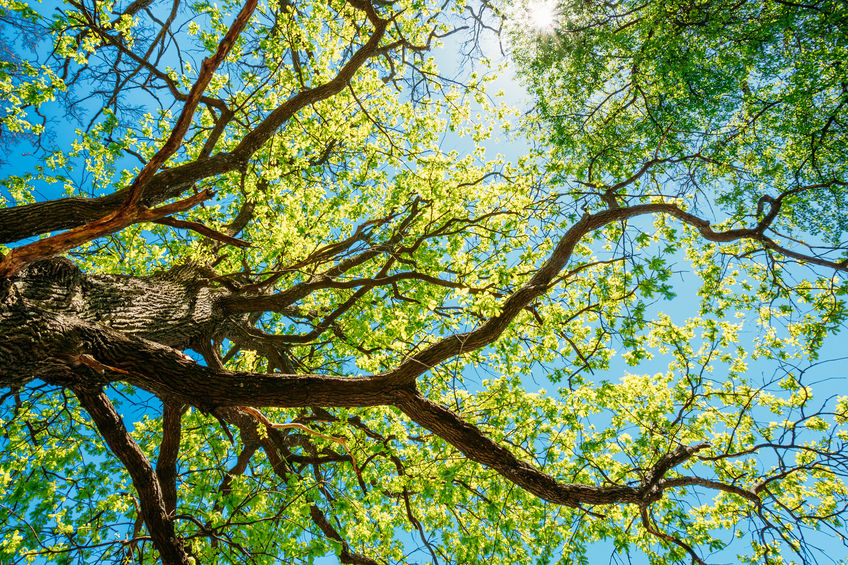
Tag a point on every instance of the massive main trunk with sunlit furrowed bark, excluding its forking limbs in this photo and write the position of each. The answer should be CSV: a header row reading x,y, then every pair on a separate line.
x,y
53,313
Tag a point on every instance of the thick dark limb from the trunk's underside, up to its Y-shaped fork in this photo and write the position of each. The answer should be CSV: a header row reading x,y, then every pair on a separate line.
x,y
166,372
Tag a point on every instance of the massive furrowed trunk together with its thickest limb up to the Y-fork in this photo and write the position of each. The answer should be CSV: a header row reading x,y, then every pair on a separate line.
x,y
68,328
